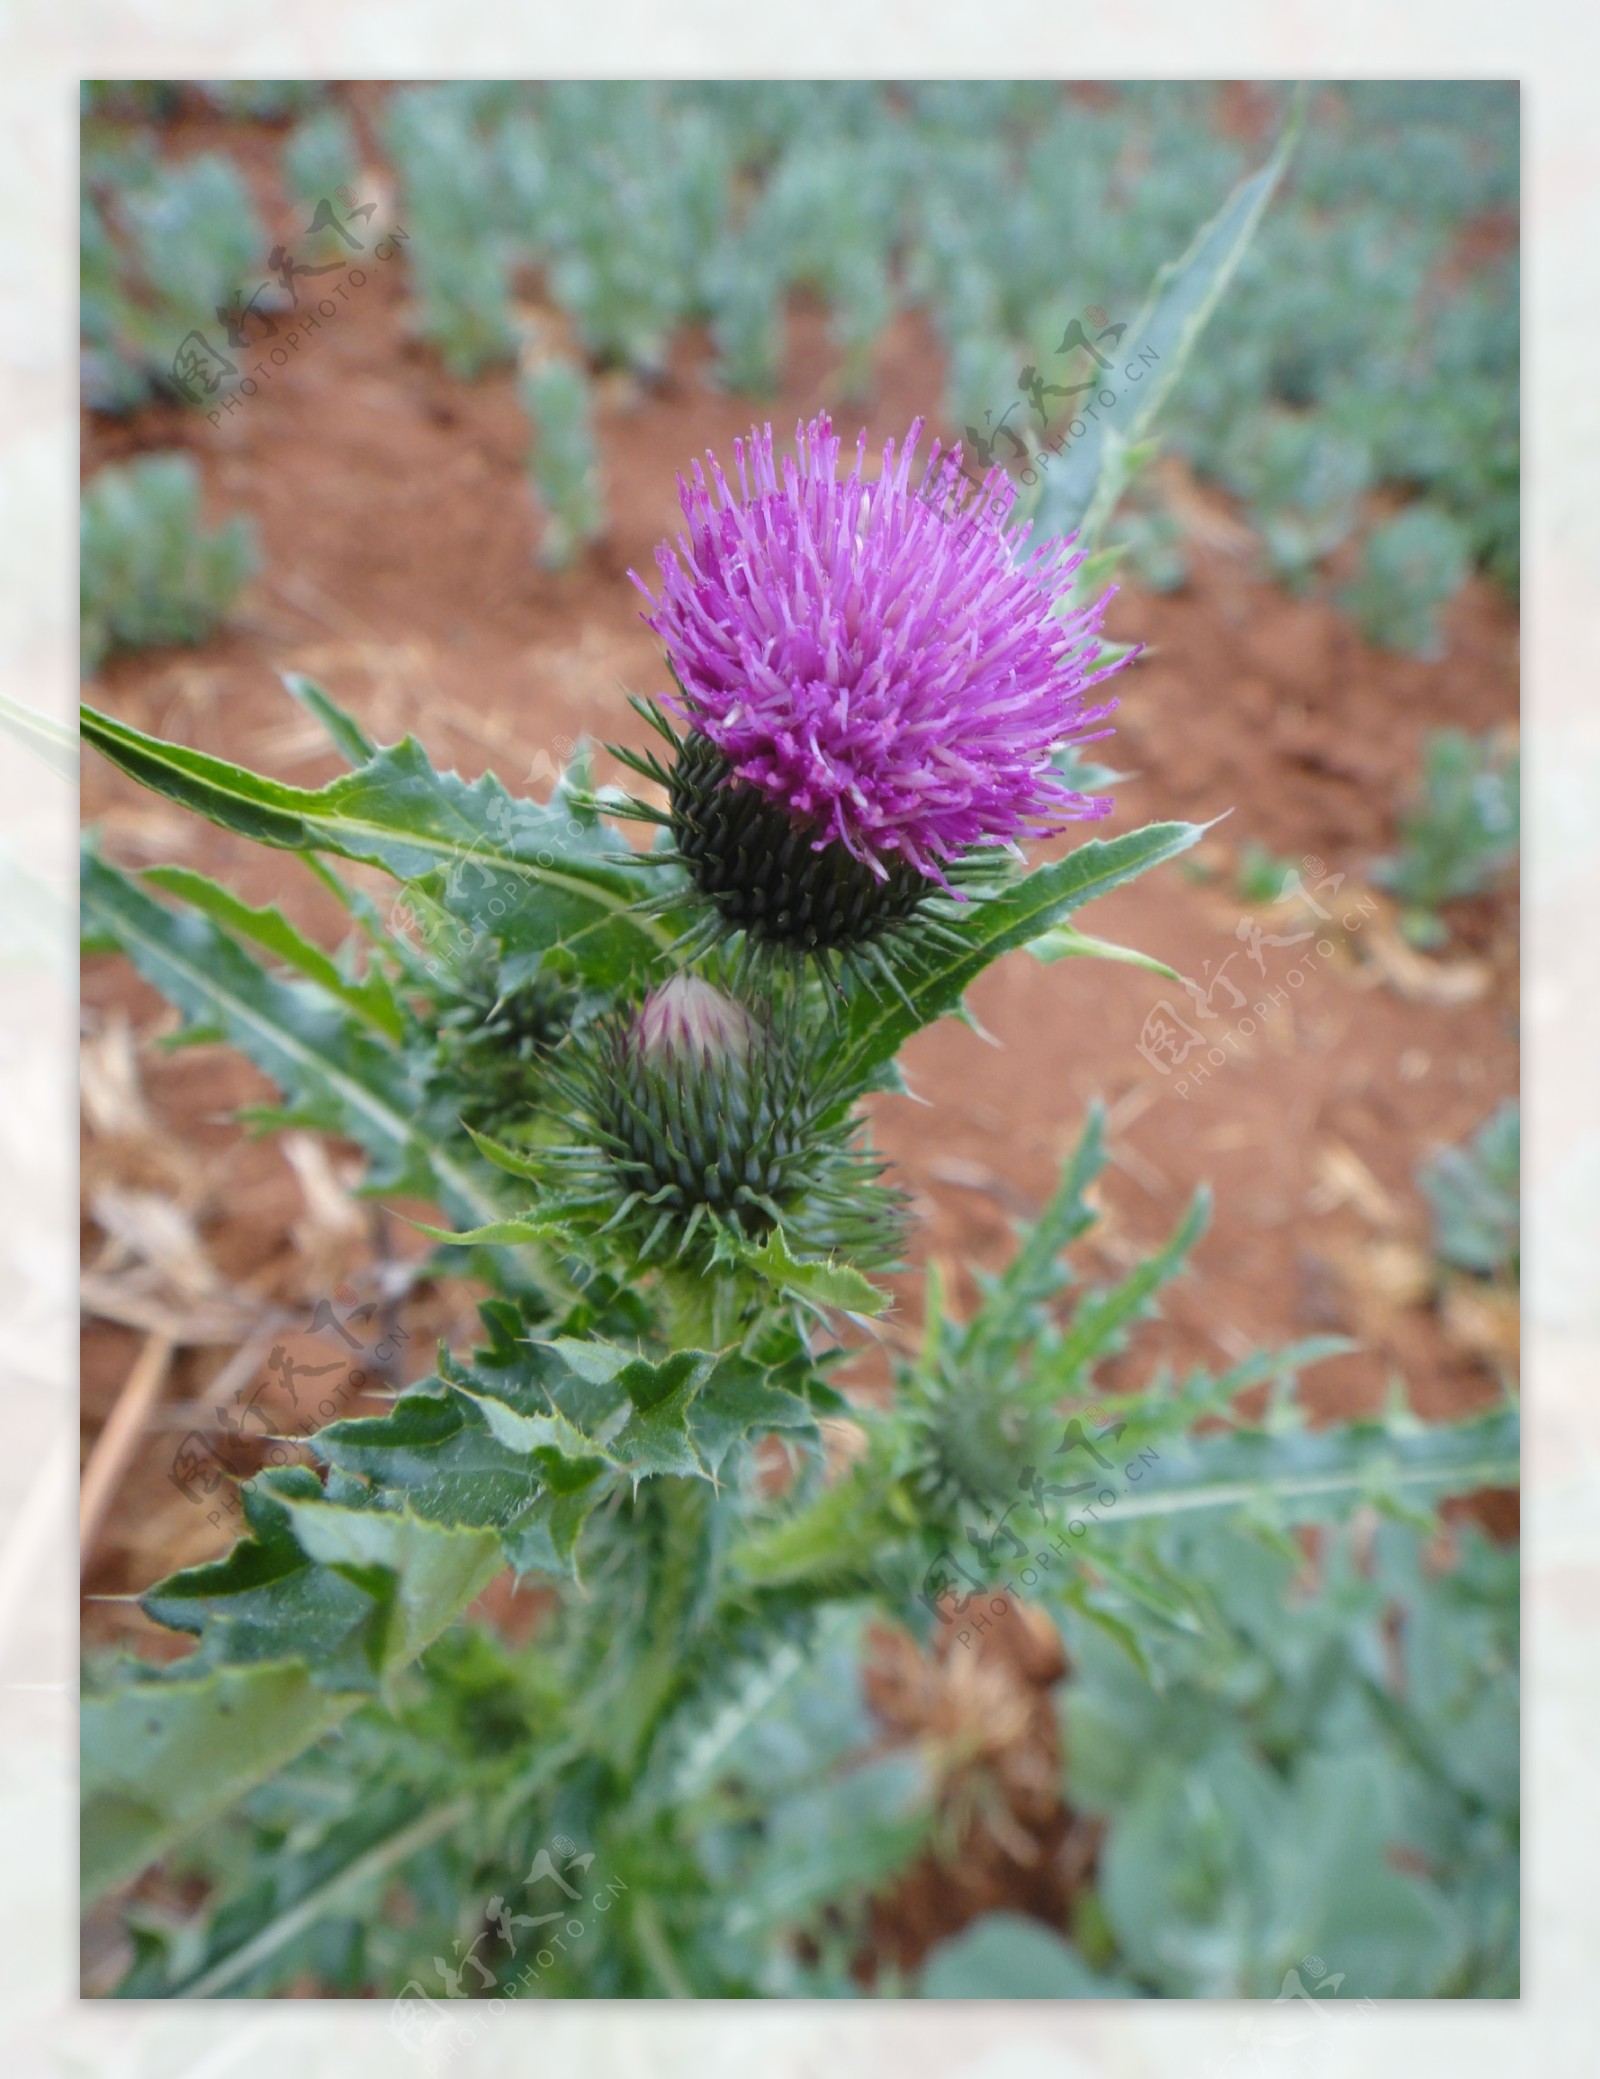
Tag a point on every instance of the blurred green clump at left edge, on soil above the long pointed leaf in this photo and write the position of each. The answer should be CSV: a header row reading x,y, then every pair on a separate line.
x,y
151,571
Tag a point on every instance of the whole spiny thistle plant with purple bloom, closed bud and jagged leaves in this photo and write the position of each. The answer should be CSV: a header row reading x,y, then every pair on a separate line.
x,y
637,1093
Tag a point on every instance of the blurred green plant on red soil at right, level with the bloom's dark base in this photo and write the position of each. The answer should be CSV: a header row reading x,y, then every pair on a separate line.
x,y
1462,835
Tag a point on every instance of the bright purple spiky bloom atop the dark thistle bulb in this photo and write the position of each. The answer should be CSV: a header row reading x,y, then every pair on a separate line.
x,y
876,658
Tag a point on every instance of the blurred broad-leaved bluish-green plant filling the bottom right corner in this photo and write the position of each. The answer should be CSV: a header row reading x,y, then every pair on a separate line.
x,y
1316,1793
